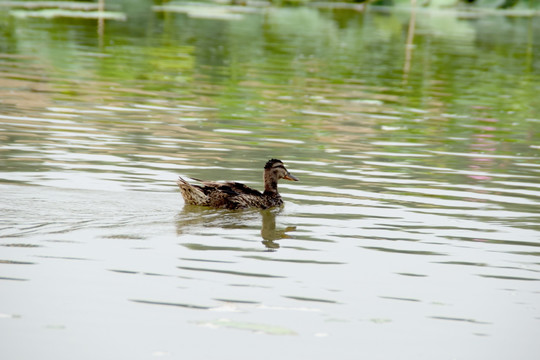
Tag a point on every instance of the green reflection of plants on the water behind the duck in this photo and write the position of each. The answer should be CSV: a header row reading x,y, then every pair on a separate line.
x,y
303,84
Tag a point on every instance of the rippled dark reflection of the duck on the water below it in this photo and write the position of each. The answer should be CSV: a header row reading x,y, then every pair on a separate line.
x,y
192,219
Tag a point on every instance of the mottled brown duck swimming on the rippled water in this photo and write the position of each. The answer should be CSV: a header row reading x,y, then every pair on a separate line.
x,y
234,195
